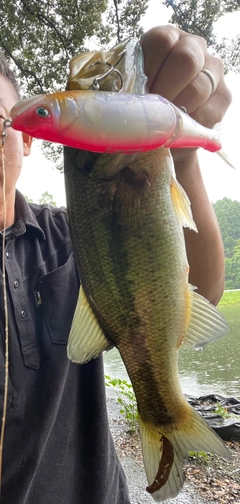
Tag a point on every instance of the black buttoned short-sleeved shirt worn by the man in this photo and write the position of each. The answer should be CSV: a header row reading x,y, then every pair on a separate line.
x,y
57,445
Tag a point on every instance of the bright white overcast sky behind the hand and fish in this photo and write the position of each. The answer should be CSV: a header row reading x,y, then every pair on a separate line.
x,y
38,175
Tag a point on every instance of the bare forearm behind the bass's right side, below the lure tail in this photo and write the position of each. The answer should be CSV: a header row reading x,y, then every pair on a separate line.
x,y
204,249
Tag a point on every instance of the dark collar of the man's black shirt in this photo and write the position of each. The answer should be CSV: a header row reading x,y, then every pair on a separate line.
x,y
25,217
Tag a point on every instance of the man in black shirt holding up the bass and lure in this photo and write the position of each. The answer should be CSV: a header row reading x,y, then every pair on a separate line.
x,y
57,443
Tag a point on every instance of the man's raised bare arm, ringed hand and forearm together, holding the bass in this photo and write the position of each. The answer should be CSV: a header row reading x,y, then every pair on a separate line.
x,y
173,63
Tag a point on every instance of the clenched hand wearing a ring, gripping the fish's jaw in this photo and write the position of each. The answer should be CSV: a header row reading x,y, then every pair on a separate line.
x,y
173,63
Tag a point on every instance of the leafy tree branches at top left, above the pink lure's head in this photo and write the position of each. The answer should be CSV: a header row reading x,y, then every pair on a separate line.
x,y
41,36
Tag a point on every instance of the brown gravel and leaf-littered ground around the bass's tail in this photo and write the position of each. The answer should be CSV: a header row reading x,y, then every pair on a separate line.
x,y
208,479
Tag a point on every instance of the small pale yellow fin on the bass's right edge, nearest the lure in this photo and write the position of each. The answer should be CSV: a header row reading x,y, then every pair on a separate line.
x,y
182,205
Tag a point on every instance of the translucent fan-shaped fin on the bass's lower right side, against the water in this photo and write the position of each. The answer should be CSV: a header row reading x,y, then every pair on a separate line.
x,y
206,323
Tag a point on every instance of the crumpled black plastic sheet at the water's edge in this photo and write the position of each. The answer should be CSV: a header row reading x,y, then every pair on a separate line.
x,y
228,428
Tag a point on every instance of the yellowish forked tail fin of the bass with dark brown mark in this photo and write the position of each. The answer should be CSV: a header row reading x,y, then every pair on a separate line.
x,y
165,452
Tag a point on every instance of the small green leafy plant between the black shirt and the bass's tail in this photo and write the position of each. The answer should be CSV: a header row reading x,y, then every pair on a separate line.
x,y
127,400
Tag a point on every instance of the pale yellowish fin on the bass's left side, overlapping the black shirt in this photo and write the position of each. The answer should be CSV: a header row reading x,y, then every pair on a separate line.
x,y
86,340
